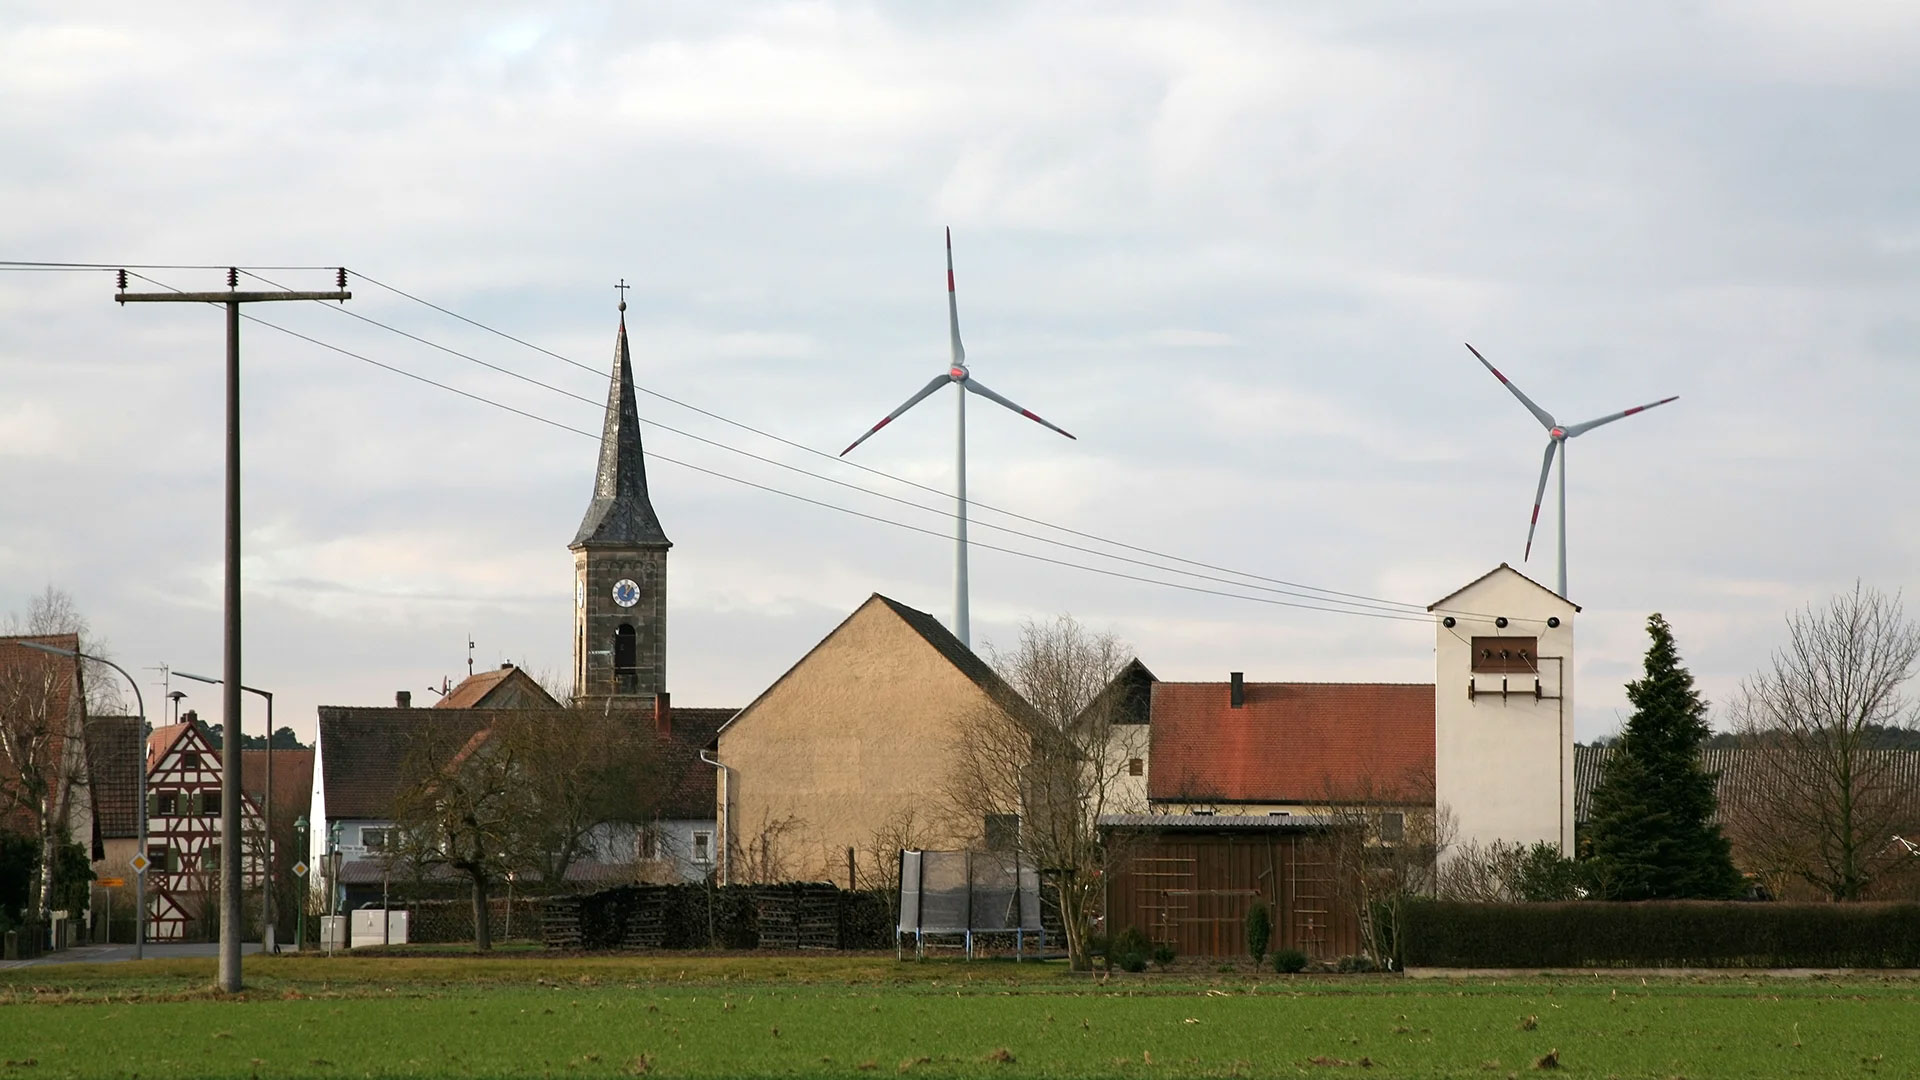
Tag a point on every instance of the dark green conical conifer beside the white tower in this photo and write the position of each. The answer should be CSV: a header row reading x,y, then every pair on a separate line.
x,y
1652,814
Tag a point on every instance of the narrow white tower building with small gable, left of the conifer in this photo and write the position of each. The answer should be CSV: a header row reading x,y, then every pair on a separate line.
x,y
1504,766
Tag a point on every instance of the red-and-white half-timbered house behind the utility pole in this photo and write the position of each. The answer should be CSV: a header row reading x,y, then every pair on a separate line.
x,y
183,839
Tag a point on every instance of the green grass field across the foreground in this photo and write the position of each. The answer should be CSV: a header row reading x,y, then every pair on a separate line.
x,y
869,1016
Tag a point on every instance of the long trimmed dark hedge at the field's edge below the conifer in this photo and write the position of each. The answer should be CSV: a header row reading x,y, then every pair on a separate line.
x,y
1717,935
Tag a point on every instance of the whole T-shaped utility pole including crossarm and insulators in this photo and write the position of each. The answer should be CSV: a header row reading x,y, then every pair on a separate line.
x,y
233,864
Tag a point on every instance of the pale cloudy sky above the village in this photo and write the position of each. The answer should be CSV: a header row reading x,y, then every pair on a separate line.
x,y
1234,249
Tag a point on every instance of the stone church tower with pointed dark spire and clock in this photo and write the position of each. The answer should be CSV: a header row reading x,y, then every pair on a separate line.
x,y
621,562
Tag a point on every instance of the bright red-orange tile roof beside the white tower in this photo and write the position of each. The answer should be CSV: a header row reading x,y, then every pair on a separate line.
x,y
1291,743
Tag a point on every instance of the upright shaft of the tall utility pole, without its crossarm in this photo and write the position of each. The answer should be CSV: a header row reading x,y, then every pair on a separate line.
x,y
231,677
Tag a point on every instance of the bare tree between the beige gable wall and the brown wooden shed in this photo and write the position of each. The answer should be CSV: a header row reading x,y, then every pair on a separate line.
x,y
1053,758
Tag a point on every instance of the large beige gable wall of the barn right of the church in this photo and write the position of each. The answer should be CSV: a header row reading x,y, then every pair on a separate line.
x,y
861,731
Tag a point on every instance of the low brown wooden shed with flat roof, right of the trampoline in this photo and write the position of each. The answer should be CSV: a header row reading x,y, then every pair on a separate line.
x,y
1189,881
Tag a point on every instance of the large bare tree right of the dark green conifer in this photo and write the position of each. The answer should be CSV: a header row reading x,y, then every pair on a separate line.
x,y
1821,798
